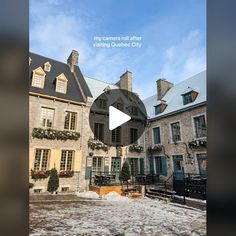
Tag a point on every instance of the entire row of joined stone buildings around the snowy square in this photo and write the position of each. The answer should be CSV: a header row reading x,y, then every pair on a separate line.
x,y
60,98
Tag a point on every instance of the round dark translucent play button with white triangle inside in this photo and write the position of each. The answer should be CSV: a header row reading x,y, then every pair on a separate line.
x,y
117,117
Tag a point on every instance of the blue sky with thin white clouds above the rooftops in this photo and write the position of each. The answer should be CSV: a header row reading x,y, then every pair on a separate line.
x,y
173,37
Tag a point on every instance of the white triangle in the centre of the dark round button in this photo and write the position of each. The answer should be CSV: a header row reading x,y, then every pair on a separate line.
x,y
117,118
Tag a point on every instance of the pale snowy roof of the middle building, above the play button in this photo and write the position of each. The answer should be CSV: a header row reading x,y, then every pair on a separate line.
x,y
97,86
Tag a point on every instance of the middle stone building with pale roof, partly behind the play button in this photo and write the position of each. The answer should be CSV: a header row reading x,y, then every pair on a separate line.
x,y
111,158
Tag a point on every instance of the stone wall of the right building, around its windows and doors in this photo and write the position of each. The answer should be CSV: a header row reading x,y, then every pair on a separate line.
x,y
187,134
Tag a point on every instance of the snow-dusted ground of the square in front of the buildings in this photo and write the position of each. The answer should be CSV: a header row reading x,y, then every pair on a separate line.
x,y
115,215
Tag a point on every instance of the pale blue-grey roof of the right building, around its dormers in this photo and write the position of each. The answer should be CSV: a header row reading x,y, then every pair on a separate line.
x,y
173,97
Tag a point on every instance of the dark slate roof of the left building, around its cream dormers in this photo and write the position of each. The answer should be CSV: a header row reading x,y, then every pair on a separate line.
x,y
73,93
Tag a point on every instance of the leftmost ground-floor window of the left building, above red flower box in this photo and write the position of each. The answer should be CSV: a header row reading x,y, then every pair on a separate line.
x,y
41,159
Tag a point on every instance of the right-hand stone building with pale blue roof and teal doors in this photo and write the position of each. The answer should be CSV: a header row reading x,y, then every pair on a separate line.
x,y
176,134
